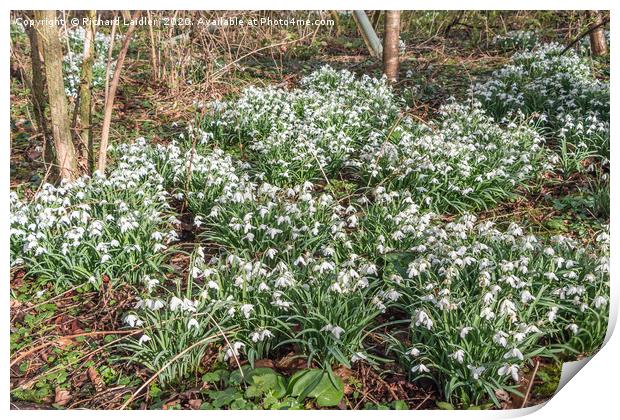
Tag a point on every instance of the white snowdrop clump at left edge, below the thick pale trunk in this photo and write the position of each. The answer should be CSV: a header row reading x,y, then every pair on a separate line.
x,y
119,225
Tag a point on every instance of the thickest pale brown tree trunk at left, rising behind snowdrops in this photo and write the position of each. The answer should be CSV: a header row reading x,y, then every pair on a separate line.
x,y
61,132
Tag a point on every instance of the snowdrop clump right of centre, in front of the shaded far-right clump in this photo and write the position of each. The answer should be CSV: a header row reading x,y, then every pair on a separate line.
x,y
463,161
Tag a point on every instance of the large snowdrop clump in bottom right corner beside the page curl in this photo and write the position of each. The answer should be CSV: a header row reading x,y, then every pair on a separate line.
x,y
484,301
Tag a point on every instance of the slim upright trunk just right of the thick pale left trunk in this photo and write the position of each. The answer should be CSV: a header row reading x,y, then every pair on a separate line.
x,y
85,95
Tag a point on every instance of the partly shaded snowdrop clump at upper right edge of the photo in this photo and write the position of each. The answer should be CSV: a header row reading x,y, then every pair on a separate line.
x,y
560,92
